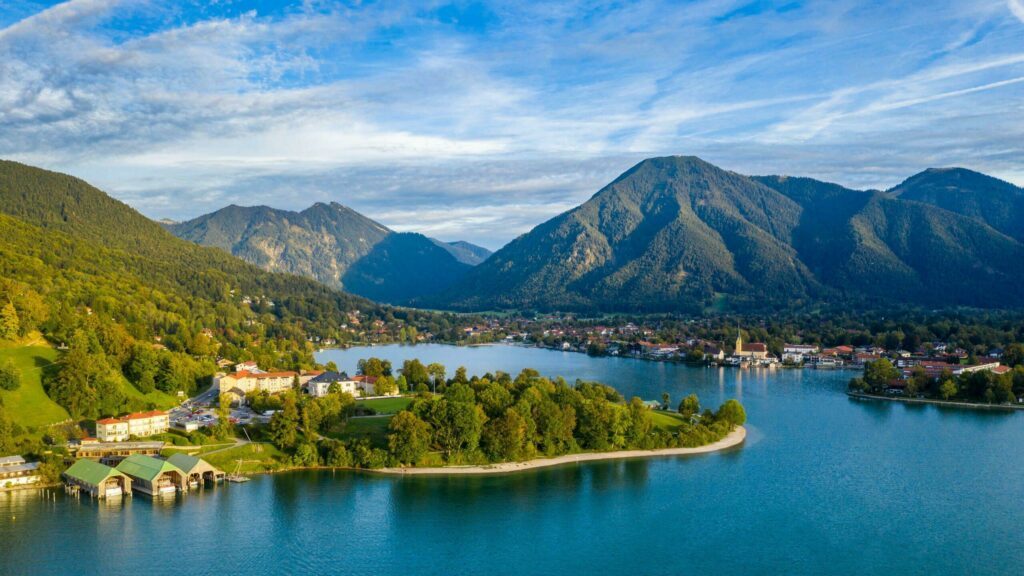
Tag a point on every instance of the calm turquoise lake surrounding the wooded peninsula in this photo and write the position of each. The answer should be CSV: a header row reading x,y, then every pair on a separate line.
x,y
825,485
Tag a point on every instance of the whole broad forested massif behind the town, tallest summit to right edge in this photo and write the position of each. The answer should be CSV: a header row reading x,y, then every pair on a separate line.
x,y
679,234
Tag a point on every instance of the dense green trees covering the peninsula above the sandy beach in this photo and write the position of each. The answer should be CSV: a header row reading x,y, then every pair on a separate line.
x,y
494,419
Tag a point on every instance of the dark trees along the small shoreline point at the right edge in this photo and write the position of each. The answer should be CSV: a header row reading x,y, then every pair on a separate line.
x,y
979,387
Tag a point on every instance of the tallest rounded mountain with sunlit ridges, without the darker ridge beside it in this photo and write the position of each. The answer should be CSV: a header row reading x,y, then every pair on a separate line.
x,y
670,234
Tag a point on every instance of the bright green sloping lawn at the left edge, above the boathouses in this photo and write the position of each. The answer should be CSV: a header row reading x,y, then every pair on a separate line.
x,y
29,405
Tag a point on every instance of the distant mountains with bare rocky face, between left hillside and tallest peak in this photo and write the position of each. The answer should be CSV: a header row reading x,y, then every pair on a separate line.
x,y
326,241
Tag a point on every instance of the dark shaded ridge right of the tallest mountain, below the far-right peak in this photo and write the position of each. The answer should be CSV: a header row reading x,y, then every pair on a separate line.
x,y
886,250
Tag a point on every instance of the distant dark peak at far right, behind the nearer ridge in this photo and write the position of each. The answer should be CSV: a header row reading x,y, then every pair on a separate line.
x,y
993,201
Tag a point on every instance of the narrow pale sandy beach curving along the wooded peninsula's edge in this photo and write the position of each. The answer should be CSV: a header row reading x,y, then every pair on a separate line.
x,y
736,438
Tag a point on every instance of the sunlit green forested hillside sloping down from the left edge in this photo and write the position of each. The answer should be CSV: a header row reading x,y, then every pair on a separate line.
x,y
142,311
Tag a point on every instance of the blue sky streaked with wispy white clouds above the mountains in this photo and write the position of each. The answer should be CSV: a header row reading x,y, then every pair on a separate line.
x,y
480,120
